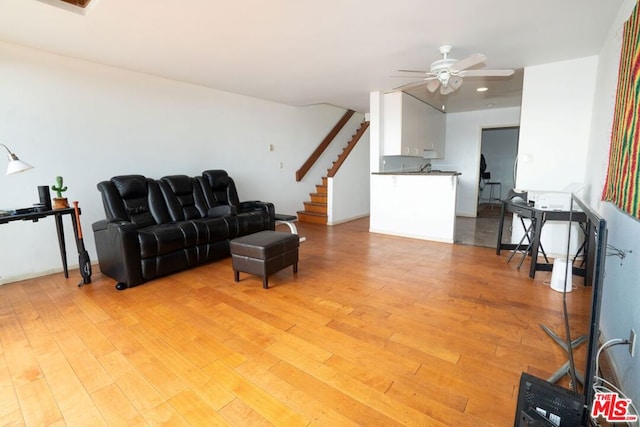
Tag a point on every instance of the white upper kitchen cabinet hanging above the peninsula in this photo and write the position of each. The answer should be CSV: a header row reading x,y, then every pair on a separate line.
x,y
411,126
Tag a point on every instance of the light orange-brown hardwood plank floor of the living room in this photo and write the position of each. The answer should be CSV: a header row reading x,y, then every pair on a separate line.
x,y
373,330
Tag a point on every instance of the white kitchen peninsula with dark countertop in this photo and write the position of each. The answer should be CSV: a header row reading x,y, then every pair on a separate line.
x,y
414,204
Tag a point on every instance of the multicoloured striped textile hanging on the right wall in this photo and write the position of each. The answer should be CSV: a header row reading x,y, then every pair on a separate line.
x,y
622,186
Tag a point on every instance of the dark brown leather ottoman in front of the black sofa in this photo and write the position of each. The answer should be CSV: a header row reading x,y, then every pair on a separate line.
x,y
264,253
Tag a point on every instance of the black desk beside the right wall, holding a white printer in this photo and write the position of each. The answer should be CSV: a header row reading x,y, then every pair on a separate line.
x,y
540,217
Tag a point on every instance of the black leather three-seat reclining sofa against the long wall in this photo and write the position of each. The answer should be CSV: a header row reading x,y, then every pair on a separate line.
x,y
158,227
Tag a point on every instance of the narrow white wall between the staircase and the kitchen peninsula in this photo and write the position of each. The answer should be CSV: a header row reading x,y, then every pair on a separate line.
x,y
349,188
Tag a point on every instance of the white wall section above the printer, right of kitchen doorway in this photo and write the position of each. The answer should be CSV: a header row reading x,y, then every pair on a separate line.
x,y
557,107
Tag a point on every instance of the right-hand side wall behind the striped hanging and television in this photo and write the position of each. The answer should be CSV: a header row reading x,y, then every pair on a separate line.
x,y
620,309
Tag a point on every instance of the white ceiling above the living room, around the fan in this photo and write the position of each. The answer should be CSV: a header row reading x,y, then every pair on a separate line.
x,y
302,52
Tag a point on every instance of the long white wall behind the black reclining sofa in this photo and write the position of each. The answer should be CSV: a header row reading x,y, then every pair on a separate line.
x,y
89,122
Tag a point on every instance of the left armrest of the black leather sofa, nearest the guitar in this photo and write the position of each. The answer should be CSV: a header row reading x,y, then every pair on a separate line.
x,y
118,250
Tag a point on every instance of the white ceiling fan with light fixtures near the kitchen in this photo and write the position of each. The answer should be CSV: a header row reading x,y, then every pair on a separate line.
x,y
447,73
